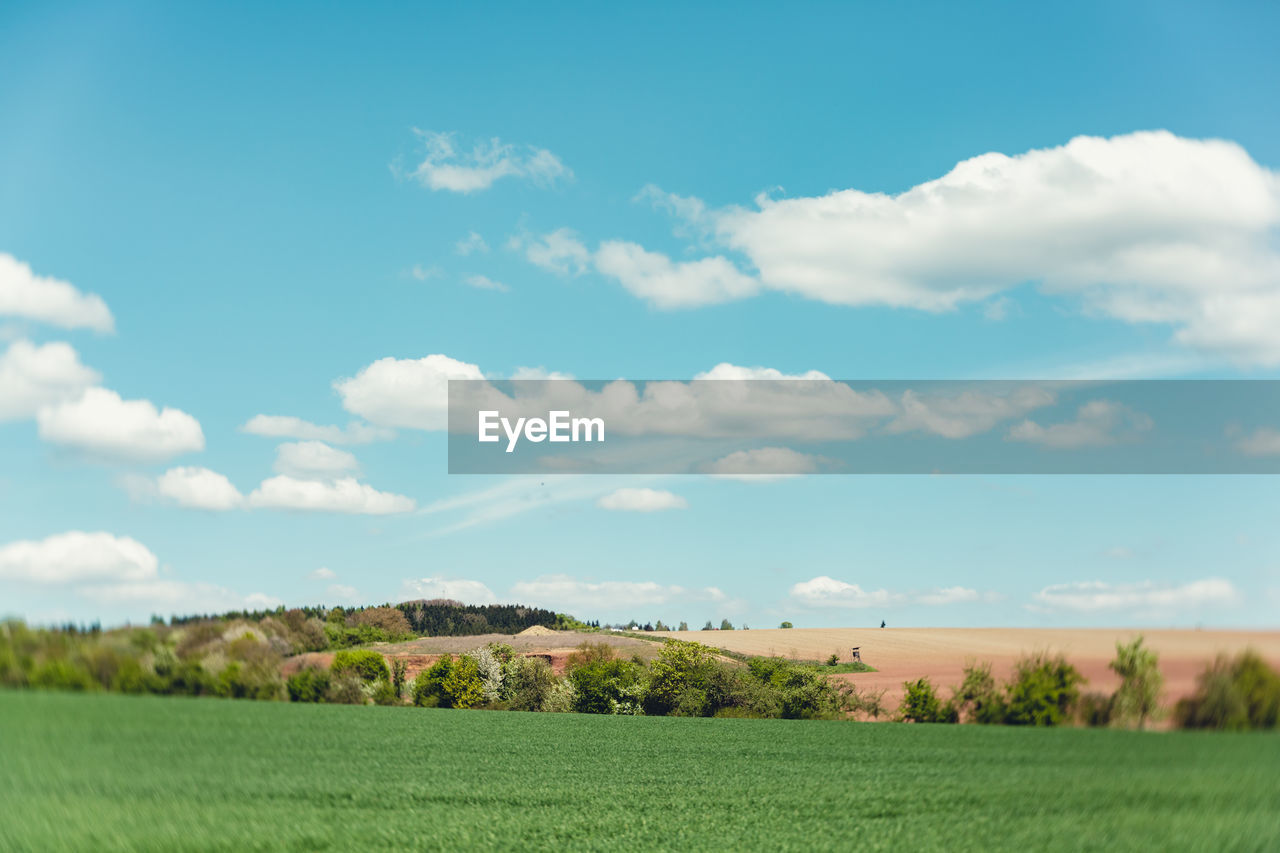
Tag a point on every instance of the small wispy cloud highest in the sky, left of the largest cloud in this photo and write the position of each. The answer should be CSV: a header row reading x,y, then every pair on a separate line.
x,y
488,162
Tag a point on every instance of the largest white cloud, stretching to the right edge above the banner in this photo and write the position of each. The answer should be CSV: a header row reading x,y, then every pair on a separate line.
x,y
1145,229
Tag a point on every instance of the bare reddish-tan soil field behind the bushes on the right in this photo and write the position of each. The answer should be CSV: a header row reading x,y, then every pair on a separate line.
x,y
907,654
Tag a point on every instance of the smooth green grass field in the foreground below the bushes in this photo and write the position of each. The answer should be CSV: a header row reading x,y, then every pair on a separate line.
x,y
108,772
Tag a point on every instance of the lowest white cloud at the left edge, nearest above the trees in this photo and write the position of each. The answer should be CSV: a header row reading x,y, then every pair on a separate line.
x,y
77,556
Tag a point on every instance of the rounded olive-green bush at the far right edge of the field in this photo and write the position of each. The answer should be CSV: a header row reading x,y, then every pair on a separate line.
x,y
1235,695
